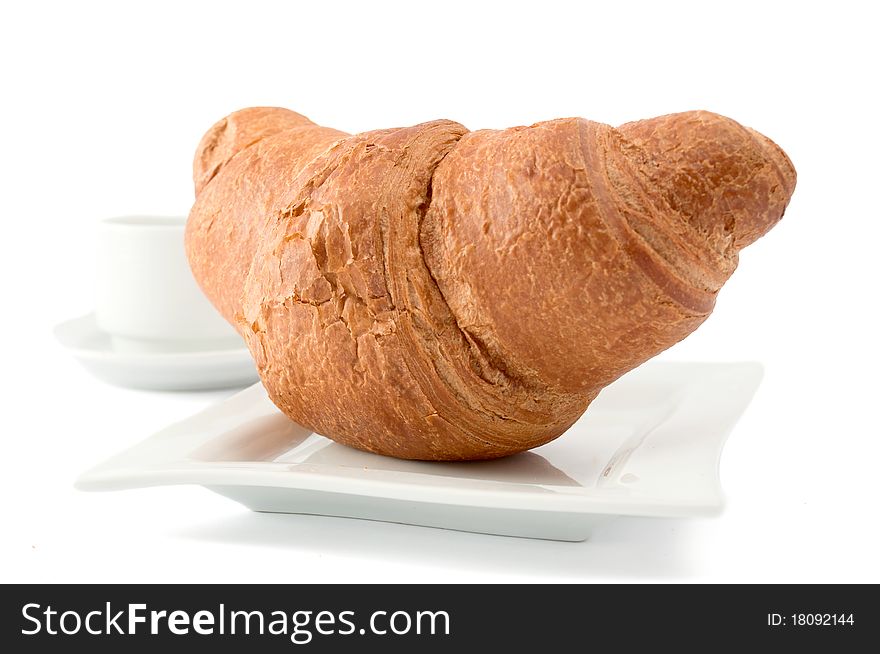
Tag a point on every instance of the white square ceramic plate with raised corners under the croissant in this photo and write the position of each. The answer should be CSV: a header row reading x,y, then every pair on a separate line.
x,y
648,446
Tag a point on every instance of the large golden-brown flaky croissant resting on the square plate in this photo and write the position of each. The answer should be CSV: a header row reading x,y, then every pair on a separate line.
x,y
433,293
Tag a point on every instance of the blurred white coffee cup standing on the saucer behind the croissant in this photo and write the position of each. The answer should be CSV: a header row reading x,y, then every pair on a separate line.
x,y
147,298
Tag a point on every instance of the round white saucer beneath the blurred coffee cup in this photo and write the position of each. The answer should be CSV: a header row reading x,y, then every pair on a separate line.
x,y
227,367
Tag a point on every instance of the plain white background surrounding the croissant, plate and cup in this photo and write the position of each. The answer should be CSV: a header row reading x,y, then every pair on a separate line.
x,y
103,104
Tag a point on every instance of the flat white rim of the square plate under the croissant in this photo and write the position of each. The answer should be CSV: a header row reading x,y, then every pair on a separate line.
x,y
126,470
